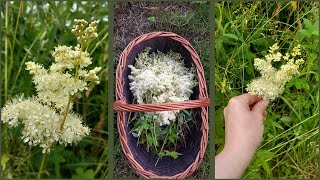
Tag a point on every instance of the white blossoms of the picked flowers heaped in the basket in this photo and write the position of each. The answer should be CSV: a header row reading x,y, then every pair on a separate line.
x,y
159,78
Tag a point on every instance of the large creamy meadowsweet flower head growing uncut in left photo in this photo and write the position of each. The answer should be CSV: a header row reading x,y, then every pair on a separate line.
x,y
47,117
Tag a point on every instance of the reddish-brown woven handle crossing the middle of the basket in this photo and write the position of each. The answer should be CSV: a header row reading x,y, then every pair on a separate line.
x,y
121,105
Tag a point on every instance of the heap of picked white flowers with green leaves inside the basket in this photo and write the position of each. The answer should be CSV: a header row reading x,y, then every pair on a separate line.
x,y
159,78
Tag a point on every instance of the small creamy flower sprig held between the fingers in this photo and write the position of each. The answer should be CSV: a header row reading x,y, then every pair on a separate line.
x,y
272,81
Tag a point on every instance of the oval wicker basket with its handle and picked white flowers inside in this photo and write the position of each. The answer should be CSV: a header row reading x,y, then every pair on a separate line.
x,y
162,106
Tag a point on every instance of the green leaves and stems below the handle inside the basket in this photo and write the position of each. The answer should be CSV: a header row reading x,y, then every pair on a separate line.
x,y
162,140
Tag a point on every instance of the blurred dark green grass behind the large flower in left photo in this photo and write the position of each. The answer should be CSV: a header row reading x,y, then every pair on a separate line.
x,y
30,31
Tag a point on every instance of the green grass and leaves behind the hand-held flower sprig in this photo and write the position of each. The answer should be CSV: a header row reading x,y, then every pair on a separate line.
x,y
244,31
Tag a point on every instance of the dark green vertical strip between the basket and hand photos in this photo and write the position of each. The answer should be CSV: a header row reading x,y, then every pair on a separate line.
x,y
212,92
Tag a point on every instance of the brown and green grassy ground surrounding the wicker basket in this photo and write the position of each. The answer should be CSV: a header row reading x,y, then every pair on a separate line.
x,y
189,20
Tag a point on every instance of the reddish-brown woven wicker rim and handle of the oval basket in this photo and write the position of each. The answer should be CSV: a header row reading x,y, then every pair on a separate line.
x,y
122,107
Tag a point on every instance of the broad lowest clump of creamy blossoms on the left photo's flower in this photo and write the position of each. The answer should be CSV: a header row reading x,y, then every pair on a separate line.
x,y
42,123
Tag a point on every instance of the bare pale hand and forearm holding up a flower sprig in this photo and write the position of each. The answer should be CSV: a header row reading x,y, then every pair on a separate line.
x,y
244,117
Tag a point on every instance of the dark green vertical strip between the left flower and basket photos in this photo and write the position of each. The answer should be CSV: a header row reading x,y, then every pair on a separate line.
x,y
110,90
